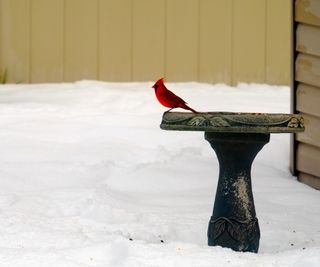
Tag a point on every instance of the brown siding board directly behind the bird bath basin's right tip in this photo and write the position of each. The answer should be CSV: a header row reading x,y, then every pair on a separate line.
x,y
311,135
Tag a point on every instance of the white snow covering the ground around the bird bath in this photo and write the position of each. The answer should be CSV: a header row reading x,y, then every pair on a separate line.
x,y
87,178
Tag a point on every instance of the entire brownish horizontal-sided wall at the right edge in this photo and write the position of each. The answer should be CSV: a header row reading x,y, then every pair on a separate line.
x,y
307,90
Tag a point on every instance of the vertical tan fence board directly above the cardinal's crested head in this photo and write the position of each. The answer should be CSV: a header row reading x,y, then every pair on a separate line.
x,y
148,40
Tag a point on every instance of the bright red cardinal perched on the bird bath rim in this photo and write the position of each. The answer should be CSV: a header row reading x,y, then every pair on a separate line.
x,y
169,99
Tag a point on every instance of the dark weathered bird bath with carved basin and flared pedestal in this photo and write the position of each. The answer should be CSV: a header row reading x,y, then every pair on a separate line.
x,y
236,138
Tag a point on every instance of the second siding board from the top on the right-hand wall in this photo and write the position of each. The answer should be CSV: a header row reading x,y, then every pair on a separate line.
x,y
308,39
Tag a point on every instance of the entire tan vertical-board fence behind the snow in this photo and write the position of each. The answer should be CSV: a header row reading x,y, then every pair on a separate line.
x,y
133,40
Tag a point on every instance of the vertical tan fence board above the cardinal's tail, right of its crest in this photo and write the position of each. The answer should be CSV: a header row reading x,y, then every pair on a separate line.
x,y
182,46
